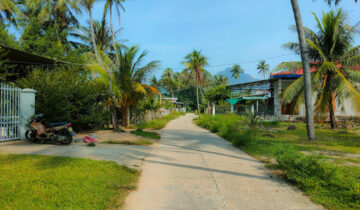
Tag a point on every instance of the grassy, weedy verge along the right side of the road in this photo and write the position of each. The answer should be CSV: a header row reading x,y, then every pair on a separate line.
x,y
326,169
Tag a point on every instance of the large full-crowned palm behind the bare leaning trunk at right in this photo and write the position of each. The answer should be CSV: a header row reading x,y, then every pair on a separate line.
x,y
334,58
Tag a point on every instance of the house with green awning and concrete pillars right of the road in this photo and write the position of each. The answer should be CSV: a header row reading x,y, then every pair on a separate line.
x,y
269,103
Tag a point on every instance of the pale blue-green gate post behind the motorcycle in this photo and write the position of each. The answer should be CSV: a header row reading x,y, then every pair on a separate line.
x,y
27,109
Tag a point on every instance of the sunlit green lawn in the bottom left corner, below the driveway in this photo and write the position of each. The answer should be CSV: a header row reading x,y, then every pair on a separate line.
x,y
45,182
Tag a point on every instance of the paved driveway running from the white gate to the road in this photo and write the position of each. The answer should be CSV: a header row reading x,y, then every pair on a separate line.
x,y
129,155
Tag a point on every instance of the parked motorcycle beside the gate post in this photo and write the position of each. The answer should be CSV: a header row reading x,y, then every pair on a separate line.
x,y
54,132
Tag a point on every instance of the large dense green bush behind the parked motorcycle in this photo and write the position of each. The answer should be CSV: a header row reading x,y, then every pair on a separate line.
x,y
67,96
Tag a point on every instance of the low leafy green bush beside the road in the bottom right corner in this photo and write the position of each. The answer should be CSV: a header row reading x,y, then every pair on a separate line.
x,y
330,185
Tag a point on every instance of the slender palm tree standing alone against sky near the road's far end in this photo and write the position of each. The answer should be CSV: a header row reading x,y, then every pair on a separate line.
x,y
194,65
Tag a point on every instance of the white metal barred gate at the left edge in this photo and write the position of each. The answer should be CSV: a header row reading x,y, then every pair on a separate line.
x,y
9,112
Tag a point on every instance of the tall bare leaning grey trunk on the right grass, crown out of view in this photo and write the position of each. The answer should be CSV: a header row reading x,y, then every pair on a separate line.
x,y
306,67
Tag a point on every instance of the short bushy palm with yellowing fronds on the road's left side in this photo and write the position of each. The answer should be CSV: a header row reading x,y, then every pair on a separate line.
x,y
129,77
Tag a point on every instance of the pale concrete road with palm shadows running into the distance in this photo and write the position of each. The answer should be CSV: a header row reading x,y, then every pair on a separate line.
x,y
192,168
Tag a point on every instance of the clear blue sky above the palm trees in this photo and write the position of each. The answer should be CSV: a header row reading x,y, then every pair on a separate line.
x,y
227,32
